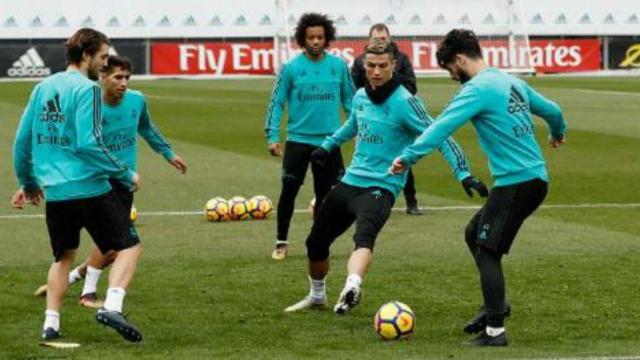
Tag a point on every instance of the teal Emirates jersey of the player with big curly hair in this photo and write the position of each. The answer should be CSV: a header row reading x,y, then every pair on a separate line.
x,y
314,92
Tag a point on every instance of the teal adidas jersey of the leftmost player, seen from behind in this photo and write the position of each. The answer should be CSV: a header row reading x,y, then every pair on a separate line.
x,y
59,146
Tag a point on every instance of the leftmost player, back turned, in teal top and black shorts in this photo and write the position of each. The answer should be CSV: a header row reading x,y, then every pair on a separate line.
x,y
59,150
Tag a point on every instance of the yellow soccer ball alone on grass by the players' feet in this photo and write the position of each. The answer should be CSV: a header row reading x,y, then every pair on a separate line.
x,y
394,320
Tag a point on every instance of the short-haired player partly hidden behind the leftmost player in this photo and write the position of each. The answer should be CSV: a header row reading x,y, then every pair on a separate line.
x,y
124,116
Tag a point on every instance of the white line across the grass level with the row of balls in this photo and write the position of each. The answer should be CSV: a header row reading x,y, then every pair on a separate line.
x,y
425,208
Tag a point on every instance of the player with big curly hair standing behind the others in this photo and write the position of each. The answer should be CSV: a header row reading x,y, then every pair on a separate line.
x,y
314,84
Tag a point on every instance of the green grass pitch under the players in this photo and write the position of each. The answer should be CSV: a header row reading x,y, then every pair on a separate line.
x,y
207,290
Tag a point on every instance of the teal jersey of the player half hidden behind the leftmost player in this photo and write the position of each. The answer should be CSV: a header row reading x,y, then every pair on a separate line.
x,y
121,125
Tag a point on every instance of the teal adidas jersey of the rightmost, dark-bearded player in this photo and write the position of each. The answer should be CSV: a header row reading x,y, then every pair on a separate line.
x,y
499,106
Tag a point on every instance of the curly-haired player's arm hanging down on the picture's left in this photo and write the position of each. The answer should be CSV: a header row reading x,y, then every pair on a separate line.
x,y
279,95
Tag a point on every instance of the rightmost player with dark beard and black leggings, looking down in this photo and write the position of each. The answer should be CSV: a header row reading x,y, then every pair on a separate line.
x,y
499,106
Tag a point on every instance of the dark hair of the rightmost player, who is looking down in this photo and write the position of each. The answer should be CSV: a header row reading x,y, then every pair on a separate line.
x,y
458,41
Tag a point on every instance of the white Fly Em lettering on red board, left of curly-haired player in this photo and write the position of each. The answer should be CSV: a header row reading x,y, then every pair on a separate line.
x,y
237,57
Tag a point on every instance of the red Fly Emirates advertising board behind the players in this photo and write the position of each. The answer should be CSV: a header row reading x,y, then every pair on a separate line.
x,y
256,58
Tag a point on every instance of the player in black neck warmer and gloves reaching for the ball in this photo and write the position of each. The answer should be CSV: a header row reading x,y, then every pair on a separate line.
x,y
385,119
